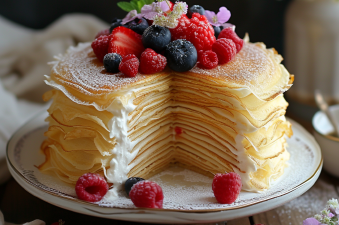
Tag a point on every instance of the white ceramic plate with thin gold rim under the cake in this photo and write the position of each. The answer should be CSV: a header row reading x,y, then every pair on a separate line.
x,y
188,195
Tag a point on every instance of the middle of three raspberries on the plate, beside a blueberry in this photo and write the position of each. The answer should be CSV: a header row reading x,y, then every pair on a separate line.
x,y
147,194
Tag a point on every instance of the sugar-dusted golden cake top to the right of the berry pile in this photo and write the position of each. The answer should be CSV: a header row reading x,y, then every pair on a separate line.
x,y
254,67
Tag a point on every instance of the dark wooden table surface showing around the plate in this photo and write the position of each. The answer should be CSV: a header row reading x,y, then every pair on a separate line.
x,y
18,206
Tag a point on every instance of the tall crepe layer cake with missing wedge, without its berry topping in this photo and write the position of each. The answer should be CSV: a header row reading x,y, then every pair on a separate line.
x,y
232,118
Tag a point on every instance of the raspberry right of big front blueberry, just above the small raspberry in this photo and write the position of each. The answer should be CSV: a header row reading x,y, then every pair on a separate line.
x,y
225,49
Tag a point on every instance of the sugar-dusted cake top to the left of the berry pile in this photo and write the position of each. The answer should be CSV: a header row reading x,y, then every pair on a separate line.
x,y
81,70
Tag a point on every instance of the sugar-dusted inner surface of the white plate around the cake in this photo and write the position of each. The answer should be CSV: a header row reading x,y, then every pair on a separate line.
x,y
183,189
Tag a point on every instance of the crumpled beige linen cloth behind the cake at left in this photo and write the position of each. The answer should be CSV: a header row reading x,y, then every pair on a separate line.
x,y
24,54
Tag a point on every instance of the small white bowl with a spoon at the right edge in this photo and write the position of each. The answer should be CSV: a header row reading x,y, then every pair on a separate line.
x,y
329,144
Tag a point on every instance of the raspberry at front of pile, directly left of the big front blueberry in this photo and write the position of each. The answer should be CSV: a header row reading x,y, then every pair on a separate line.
x,y
152,62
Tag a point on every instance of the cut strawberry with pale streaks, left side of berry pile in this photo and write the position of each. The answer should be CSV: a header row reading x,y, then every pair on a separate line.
x,y
125,41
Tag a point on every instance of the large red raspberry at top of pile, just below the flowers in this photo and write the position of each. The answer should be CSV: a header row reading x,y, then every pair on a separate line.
x,y
200,32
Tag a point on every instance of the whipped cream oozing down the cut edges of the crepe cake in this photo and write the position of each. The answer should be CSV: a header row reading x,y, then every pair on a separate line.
x,y
118,125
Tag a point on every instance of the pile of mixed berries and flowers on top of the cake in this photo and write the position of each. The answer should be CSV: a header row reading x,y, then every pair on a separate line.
x,y
156,34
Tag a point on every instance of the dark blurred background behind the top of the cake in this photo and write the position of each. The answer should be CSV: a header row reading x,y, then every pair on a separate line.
x,y
262,19
